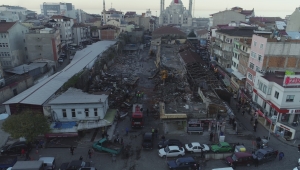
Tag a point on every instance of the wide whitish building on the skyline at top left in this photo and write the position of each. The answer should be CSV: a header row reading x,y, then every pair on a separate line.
x,y
50,9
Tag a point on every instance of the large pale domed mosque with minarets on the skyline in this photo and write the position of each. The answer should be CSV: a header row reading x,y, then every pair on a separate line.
x,y
176,14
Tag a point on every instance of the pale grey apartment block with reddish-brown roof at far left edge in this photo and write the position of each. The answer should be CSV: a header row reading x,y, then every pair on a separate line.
x,y
12,44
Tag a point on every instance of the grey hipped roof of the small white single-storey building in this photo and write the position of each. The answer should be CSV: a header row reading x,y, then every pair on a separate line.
x,y
74,96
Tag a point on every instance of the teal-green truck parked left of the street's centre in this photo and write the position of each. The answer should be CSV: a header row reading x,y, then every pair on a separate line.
x,y
108,146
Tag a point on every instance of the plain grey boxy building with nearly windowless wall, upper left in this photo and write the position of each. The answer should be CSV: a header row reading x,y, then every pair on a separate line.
x,y
43,44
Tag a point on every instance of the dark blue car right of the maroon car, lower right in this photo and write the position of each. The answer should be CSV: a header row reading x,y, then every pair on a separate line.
x,y
265,154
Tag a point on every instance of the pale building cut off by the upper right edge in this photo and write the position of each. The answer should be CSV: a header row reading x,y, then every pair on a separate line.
x,y
293,23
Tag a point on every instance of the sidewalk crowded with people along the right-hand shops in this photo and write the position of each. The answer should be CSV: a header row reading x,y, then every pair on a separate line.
x,y
262,130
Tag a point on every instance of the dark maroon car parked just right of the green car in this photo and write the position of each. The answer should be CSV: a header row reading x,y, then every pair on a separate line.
x,y
239,158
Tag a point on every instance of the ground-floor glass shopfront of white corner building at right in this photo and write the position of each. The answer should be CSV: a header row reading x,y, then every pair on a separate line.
x,y
284,131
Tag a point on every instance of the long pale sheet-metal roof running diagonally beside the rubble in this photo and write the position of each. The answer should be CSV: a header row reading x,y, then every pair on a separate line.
x,y
41,92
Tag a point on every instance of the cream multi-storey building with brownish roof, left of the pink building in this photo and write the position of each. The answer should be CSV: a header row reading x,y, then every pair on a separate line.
x,y
223,46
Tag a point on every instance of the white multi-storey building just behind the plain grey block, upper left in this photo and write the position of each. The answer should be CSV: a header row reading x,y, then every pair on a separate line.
x,y
64,24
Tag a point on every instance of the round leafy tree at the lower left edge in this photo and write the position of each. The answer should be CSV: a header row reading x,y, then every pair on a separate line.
x,y
27,124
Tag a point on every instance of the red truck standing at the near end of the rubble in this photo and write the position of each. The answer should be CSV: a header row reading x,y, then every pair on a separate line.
x,y
137,117
